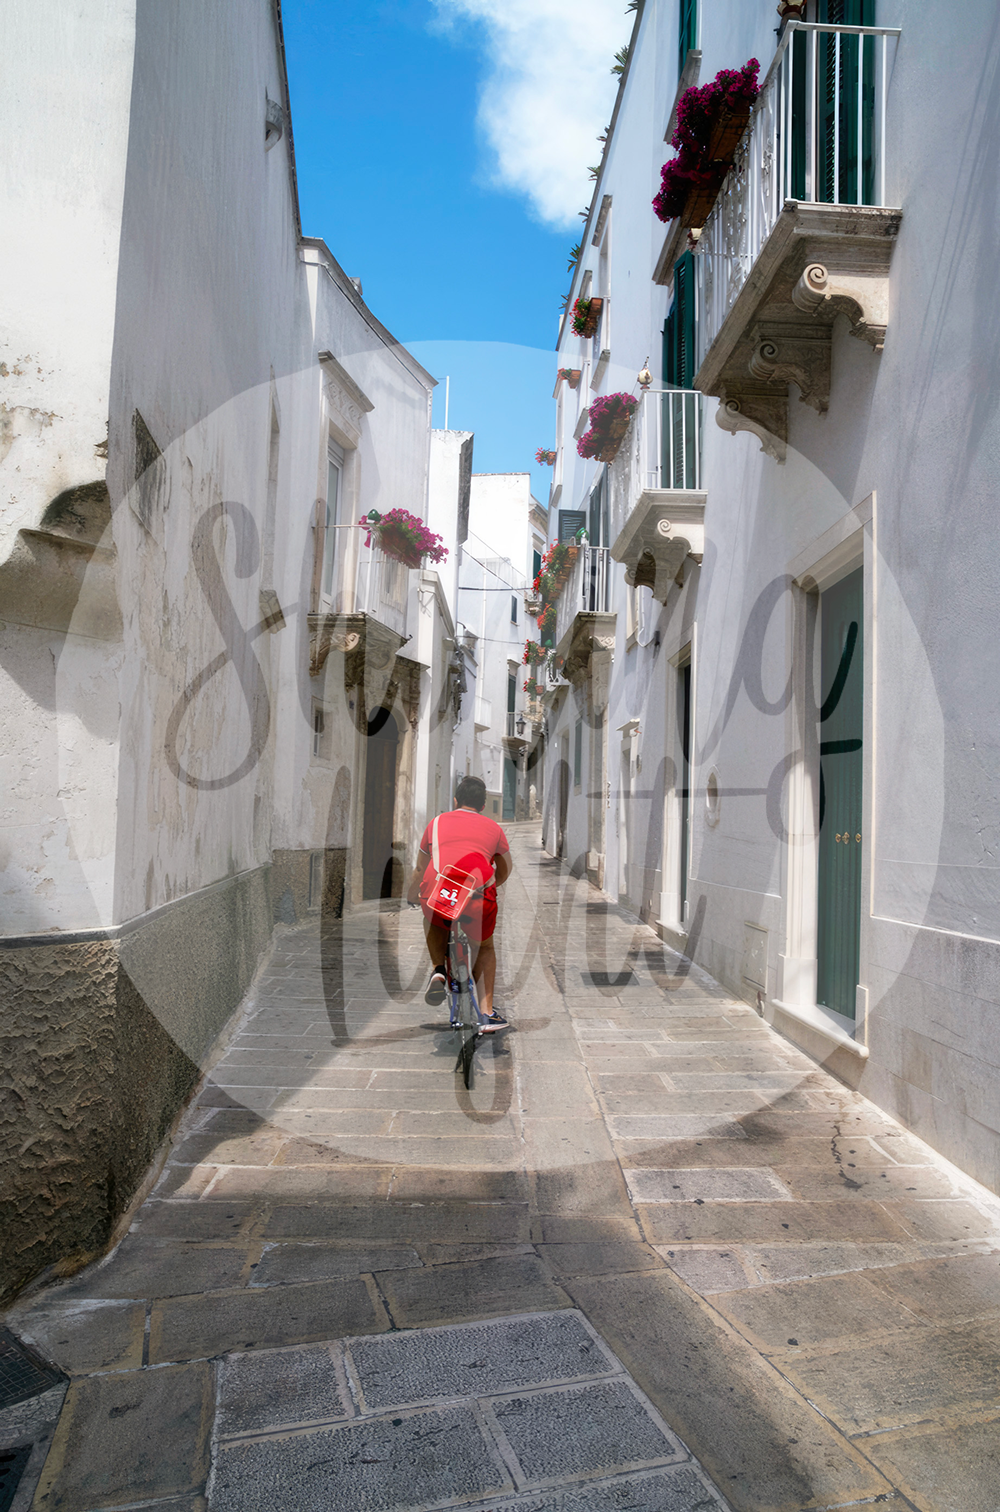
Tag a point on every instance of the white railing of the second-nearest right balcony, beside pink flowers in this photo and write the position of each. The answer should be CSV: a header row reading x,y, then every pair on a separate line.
x,y
663,450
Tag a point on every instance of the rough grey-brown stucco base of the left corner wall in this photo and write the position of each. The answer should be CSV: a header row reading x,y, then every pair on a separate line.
x,y
93,1073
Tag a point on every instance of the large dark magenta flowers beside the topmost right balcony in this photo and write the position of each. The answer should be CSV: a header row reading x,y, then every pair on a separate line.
x,y
710,123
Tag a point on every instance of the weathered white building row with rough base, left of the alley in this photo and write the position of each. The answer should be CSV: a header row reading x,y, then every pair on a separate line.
x,y
223,708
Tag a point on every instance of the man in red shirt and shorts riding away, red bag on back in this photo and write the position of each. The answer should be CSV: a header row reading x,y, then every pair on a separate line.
x,y
468,841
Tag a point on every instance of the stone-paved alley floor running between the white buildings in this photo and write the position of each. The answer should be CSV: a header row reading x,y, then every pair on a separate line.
x,y
657,1260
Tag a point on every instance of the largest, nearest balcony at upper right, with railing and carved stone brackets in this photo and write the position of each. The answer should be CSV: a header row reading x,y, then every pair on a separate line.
x,y
801,231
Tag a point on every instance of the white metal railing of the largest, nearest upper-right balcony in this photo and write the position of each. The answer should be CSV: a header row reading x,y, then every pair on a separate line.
x,y
818,135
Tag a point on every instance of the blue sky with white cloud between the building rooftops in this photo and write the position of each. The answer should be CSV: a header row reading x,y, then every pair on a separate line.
x,y
461,243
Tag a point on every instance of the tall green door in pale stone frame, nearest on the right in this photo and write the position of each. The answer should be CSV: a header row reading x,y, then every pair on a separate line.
x,y
842,720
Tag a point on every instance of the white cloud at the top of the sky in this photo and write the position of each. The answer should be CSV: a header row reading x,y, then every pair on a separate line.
x,y
548,96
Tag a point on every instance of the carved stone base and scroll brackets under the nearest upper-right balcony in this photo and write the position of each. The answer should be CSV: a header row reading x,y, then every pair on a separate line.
x,y
821,261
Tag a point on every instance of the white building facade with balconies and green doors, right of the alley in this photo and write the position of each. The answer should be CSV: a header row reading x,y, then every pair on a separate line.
x,y
774,704
